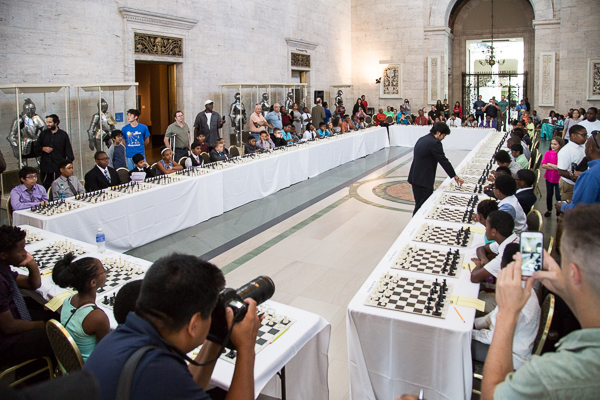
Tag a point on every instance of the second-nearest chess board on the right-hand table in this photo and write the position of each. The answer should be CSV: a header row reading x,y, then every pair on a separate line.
x,y
428,261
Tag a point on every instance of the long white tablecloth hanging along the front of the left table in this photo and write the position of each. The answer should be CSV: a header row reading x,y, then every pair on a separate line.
x,y
133,220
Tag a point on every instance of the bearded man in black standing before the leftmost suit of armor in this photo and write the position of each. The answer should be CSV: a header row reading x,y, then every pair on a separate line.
x,y
53,145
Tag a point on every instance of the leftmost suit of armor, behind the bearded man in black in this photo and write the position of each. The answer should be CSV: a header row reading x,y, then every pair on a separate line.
x,y
30,125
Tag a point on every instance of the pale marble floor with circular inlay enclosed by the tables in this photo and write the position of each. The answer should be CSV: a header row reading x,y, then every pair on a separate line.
x,y
318,240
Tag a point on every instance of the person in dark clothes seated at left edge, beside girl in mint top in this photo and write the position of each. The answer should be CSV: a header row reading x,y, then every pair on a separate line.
x,y
22,331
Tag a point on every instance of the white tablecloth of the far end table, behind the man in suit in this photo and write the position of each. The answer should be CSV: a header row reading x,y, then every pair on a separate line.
x,y
459,138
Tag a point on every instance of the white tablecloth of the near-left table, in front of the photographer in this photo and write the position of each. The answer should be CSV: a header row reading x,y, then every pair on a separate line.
x,y
302,350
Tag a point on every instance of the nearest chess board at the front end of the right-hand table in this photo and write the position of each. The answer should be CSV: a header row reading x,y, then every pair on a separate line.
x,y
412,295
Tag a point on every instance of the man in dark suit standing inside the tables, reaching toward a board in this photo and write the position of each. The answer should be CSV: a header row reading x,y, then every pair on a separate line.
x,y
428,153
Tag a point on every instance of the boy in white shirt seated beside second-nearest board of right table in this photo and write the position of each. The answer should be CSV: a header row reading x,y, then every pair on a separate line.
x,y
499,228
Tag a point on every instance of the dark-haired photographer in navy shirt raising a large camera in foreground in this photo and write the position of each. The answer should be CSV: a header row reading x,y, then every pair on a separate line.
x,y
173,314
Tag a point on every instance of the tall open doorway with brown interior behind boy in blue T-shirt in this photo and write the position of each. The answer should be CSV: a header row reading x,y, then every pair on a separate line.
x,y
157,101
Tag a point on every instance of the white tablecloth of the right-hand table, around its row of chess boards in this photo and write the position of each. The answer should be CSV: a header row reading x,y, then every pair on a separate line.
x,y
392,352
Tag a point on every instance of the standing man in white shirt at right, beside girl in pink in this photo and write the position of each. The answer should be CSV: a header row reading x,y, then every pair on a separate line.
x,y
568,156
